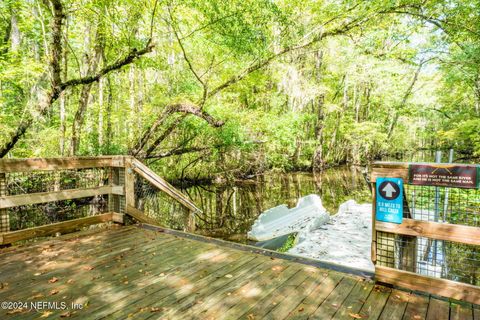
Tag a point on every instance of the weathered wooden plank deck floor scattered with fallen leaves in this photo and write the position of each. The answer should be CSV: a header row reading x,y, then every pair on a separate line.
x,y
131,272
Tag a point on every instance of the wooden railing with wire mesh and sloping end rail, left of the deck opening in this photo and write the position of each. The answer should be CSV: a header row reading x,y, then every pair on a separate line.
x,y
118,190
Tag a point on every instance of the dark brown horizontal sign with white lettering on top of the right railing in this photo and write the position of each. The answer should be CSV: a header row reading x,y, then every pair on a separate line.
x,y
444,175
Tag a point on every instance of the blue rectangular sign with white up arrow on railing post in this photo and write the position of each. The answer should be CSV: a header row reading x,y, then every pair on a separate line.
x,y
389,200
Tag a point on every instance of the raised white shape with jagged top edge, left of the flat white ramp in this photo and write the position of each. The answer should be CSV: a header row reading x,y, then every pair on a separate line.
x,y
308,215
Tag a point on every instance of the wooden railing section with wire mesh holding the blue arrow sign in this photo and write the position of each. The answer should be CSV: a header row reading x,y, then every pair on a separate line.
x,y
436,247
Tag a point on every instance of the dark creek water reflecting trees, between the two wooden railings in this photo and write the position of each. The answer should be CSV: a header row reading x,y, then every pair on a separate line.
x,y
230,210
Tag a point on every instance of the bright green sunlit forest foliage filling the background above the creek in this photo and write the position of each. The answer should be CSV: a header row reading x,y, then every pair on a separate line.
x,y
347,95
